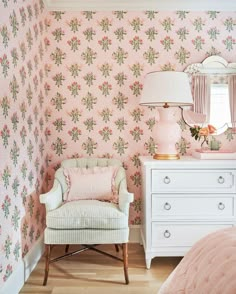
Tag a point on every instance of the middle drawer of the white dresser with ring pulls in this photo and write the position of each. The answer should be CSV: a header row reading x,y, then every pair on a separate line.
x,y
190,207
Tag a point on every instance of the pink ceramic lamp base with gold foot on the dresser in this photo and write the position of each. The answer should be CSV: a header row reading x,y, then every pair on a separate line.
x,y
167,133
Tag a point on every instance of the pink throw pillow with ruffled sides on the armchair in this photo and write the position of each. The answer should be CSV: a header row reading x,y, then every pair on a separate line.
x,y
97,183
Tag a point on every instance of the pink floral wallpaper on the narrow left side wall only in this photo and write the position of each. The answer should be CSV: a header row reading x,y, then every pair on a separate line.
x,y
22,129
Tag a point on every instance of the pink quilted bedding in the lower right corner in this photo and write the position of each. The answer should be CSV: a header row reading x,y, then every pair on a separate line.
x,y
208,268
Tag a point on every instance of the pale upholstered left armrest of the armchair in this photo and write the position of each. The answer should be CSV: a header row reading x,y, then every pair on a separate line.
x,y
53,198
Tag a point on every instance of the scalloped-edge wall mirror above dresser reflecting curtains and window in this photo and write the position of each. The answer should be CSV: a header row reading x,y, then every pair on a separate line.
x,y
213,84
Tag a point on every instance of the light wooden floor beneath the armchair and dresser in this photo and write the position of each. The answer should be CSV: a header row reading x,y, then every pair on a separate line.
x,y
90,272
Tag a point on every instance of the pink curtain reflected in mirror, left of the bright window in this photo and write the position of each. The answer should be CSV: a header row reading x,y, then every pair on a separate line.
x,y
201,94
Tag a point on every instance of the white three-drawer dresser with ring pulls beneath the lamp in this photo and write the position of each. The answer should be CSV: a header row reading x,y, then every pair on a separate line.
x,y
184,200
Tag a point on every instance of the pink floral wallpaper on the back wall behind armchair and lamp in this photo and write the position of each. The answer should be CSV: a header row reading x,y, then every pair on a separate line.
x,y
97,63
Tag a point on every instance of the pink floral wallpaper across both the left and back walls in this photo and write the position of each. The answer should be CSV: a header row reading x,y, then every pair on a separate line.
x,y
70,86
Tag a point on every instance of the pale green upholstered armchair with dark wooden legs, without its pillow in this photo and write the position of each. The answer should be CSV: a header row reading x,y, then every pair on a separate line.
x,y
87,222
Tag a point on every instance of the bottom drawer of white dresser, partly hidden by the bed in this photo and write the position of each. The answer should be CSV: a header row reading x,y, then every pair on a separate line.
x,y
181,234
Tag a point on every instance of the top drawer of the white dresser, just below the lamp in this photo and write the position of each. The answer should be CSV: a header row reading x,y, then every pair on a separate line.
x,y
194,181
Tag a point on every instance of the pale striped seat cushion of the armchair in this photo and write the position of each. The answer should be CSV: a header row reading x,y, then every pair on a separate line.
x,y
87,214
